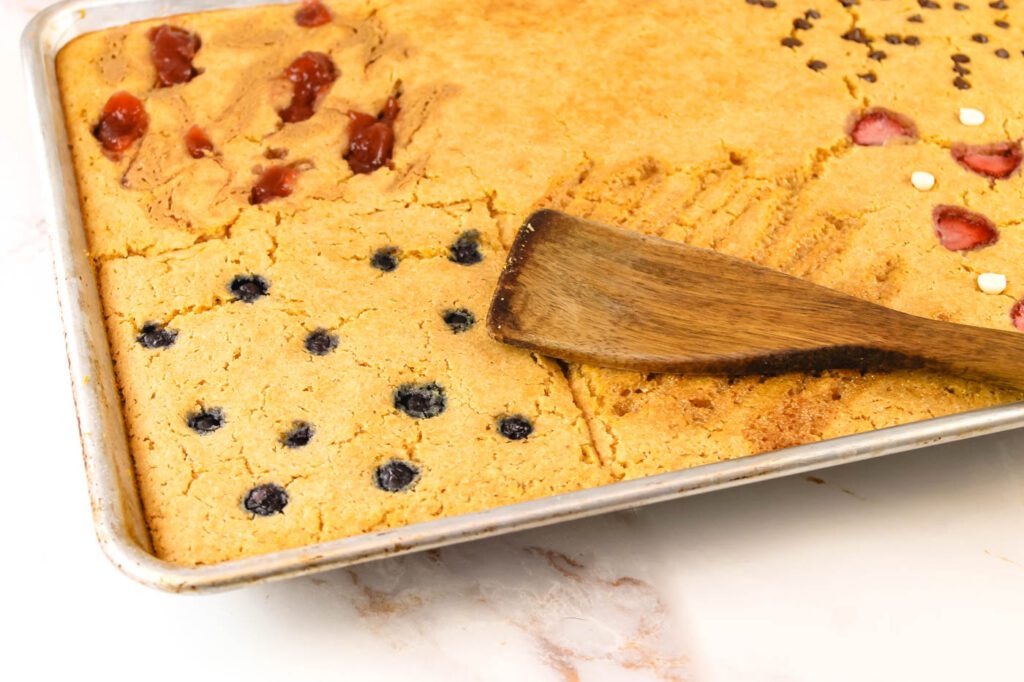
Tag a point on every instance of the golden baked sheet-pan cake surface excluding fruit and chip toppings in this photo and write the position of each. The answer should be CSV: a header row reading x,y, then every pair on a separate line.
x,y
689,120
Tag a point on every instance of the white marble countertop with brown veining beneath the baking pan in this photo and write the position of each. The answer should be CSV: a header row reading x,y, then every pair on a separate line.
x,y
909,568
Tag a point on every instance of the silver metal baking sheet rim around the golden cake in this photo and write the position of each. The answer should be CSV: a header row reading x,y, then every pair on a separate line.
x,y
117,511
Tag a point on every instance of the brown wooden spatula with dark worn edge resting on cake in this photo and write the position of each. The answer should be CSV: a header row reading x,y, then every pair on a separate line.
x,y
581,291
